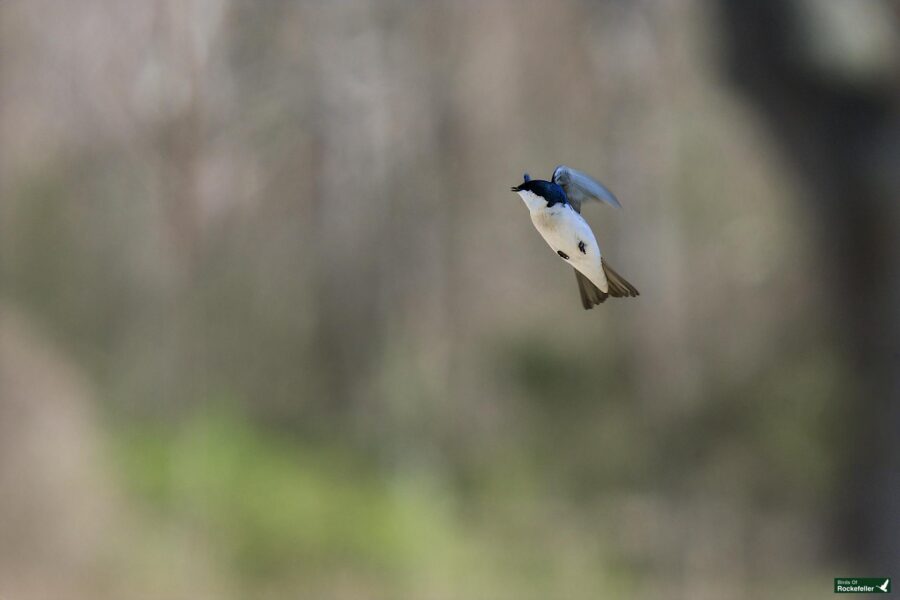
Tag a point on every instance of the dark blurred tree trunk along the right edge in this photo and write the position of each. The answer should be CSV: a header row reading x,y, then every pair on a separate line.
x,y
826,79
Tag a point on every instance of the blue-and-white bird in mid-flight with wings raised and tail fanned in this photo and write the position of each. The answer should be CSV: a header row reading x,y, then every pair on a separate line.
x,y
555,208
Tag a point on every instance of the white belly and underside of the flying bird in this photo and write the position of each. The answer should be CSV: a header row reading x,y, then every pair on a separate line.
x,y
566,232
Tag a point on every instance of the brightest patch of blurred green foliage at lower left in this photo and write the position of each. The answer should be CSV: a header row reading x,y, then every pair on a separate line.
x,y
278,505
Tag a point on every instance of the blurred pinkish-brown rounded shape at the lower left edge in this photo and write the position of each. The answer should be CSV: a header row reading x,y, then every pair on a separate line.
x,y
57,509
